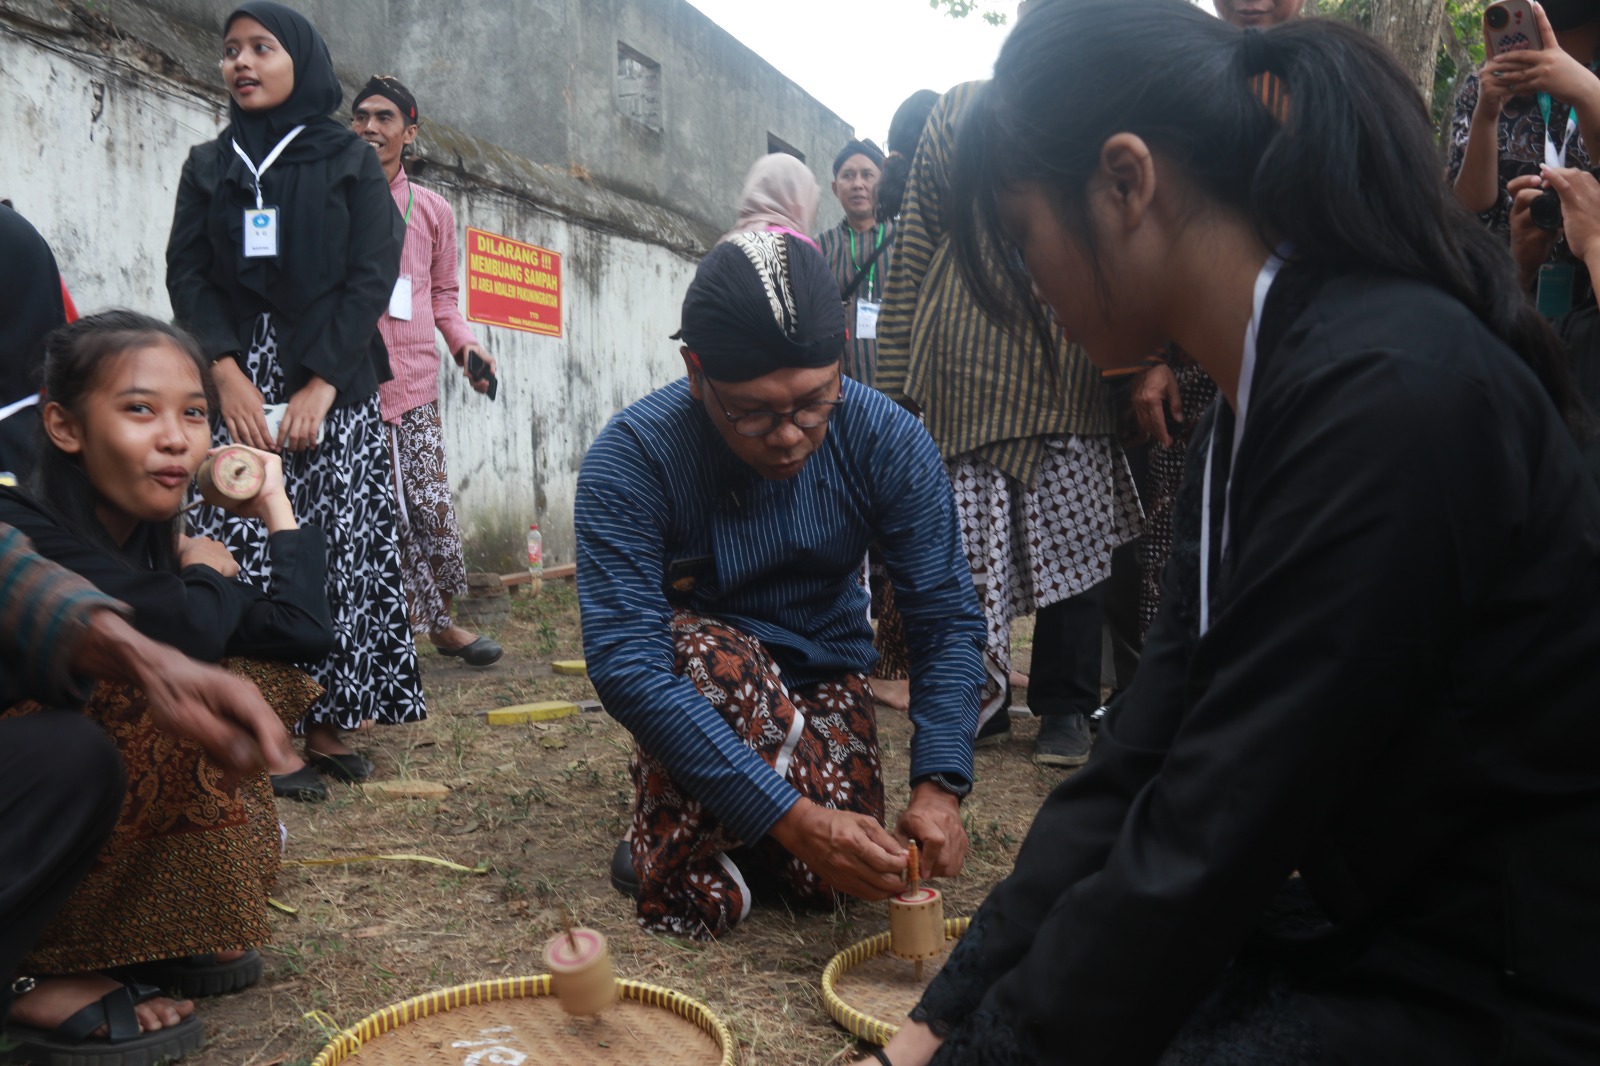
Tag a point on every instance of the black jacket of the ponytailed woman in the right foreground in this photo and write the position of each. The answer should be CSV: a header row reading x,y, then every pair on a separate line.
x,y
1399,699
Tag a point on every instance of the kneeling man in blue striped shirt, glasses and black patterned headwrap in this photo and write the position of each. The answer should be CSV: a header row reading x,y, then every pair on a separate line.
x,y
721,531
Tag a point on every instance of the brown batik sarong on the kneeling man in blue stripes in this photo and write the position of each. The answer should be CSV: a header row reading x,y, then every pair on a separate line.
x,y
823,740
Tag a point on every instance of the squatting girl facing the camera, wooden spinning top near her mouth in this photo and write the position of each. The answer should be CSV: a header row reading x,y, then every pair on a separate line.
x,y
178,897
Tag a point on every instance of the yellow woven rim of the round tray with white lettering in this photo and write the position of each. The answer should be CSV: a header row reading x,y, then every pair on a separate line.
x,y
390,1019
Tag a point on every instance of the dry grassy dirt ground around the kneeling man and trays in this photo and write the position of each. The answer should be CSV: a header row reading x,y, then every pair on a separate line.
x,y
545,806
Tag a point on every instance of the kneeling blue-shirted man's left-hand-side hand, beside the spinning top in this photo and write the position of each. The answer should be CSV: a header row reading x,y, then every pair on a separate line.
x,y
850,852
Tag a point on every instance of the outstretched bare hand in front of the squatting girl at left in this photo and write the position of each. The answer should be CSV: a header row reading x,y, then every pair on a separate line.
x,y
210,707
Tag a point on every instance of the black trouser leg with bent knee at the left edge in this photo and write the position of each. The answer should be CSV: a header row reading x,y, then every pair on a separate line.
x,y
62,791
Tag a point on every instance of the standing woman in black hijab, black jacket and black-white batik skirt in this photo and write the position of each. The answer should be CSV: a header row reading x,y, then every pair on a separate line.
x,y
284,254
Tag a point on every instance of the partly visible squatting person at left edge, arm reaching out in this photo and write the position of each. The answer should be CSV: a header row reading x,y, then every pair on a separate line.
x,y
62,783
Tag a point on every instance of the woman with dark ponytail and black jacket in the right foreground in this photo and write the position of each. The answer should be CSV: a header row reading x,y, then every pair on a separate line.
x,y
1350,809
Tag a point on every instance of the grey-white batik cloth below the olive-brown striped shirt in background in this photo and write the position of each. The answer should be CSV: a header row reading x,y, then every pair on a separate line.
x,y
1031,548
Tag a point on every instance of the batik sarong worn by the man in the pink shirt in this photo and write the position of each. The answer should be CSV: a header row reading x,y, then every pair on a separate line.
x,y
430,535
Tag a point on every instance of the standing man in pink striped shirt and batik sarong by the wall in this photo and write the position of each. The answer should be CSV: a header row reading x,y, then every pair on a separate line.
x,y
425,300
